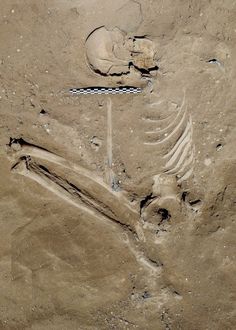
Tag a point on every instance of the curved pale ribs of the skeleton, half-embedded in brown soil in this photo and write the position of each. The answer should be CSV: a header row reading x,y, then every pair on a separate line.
x,y
172,133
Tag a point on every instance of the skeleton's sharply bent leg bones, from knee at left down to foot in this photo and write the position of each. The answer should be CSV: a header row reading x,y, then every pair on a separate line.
x,y
92,196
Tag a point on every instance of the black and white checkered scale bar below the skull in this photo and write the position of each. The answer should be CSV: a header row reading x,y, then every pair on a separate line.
x,y
106,90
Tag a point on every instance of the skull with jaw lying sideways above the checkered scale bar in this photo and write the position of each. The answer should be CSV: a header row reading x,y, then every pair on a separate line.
x,y
113,52
